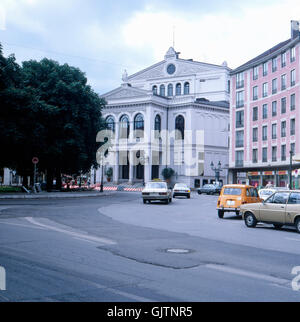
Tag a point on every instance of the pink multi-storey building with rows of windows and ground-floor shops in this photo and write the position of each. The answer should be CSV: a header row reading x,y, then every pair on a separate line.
x,y
265,115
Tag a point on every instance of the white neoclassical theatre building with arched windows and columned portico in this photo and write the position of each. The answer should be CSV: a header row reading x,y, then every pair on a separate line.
x,y
175,94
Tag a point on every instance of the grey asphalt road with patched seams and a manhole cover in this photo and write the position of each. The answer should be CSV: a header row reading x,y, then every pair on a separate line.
x,y
116,248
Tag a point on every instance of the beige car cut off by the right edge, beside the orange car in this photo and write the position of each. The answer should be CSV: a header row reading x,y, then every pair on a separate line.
x,y
281,208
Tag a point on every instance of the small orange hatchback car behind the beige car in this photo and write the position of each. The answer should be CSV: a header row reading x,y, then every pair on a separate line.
x,y
233,196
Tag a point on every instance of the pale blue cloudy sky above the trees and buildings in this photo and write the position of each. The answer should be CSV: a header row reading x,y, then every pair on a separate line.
x,y
104,37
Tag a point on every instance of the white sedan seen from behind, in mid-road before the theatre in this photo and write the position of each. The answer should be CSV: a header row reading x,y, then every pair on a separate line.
x,y
157,190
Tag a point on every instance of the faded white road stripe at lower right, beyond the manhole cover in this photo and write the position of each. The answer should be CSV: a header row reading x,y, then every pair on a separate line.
x,y
245,273
